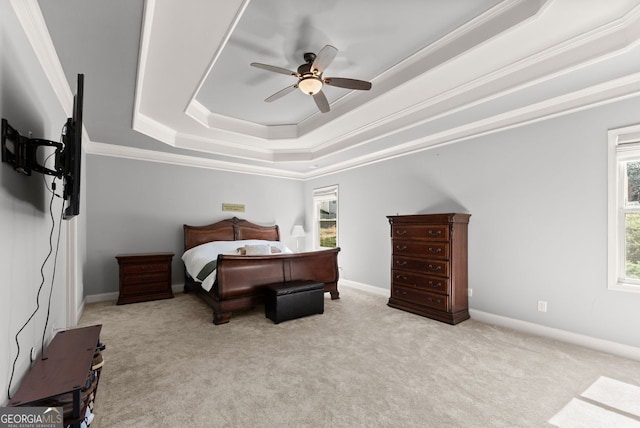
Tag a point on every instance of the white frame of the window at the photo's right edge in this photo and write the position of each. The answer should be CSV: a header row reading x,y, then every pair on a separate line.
x,y
624,145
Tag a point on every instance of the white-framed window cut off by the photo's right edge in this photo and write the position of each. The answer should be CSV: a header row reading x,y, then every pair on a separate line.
x,y
624,209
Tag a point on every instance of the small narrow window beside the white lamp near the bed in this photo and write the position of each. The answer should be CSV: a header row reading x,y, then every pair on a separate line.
x,y
325,217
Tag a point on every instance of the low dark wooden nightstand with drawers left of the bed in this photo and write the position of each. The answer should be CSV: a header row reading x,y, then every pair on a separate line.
x,y
144,277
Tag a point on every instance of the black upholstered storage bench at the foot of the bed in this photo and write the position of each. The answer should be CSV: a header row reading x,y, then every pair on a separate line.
x,y
293,299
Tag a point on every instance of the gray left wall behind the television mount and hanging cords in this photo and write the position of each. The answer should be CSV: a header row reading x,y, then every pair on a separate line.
x,y
29,104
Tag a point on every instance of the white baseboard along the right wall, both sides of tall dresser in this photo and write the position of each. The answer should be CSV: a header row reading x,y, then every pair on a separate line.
x,y
602,345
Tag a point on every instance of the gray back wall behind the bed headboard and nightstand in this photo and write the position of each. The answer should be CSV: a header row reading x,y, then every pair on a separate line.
x,y
137,206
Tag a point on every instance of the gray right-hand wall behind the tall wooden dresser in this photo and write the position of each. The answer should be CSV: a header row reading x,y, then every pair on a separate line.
x,y
538,231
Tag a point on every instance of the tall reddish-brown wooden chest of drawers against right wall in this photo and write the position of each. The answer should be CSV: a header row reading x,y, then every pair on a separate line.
x,y
429,265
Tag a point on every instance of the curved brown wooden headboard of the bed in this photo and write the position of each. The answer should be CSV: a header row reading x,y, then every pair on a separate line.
x,y
232,229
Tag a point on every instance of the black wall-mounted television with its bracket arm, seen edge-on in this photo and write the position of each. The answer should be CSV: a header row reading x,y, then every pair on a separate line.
x,y
21,153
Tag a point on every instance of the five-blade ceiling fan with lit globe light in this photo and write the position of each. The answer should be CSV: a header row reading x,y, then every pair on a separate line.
x,y
310,79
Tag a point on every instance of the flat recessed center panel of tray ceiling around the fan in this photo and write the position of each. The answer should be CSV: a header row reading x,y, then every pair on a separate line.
x,y
368,45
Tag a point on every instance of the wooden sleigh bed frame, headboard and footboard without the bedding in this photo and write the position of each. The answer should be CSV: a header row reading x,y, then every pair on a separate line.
x,y
239,280
